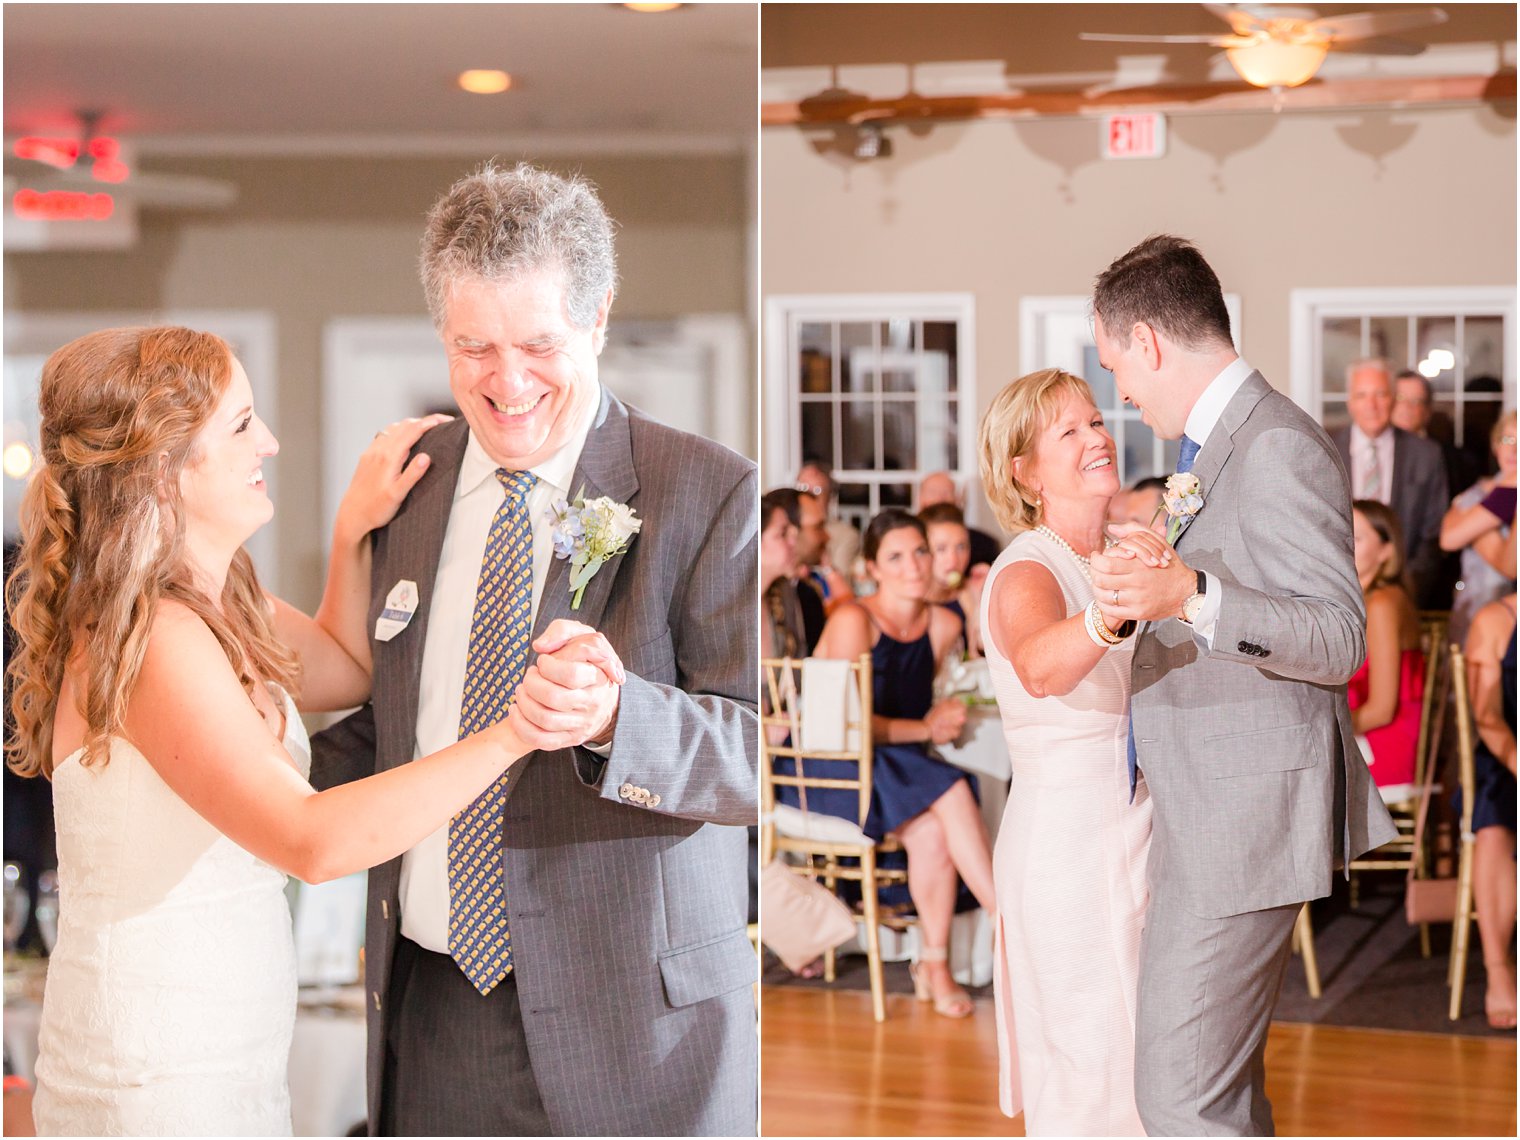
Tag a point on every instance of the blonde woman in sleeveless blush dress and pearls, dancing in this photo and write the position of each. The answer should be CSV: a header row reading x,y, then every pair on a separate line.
x,y
1071,857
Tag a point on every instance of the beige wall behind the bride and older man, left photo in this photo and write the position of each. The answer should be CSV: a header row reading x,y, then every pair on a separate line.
x,y
311,241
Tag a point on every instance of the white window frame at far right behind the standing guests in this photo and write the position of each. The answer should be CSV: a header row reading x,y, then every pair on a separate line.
x,y
1309,308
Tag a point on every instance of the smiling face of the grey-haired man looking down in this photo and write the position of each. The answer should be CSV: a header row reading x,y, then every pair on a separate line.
x,y
522,375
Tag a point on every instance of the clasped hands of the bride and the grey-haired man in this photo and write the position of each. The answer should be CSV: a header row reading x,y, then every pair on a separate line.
x,y
571,694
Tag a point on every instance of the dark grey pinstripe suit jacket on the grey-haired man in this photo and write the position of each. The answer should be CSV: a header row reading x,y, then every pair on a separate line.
x,y
629,922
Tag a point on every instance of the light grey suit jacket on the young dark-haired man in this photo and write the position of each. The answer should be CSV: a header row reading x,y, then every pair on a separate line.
x,y
1259,790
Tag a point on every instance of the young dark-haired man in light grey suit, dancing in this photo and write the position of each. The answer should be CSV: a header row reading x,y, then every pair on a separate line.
x,y
1238,711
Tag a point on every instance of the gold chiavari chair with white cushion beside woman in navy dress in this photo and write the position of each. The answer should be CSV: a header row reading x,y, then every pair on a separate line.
x,y
825,847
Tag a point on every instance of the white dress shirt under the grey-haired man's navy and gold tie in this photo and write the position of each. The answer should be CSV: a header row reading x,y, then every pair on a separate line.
x,y
478,495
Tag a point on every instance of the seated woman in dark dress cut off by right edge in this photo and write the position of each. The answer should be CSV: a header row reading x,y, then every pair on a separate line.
x,y
1492,680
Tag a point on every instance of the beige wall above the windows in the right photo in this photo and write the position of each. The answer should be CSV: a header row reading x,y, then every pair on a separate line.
x,y
1278,203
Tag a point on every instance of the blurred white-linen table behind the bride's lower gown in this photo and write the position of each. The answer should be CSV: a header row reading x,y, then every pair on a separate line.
x,y
328,1057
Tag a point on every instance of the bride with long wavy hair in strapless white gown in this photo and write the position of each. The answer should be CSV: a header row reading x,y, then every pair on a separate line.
x,y
159,686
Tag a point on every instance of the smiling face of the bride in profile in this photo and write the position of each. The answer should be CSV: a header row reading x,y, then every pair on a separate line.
x,y
223,492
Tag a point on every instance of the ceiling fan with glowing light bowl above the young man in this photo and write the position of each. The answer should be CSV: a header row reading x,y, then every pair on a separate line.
x,y
1279,46
